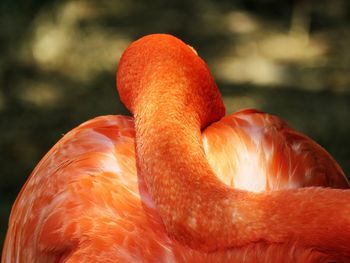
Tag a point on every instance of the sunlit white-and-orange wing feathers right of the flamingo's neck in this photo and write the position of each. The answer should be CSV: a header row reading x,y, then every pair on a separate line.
x,y
256,151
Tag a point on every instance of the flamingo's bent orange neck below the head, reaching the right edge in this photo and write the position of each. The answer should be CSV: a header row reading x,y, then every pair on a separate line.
x,y
199,210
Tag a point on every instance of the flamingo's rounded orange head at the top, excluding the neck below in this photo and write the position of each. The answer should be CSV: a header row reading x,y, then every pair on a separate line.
x,y
165,63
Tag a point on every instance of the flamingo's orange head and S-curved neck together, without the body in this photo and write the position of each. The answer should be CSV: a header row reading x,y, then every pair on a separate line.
x,y
172,95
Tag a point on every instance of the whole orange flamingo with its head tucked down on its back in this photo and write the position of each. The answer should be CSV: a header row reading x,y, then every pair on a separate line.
x,y
180,182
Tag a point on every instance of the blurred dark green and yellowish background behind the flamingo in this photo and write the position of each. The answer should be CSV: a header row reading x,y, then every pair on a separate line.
x,y
58,61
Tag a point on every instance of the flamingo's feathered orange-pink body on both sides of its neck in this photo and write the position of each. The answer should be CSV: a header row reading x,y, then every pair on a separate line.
x,y
84,201
